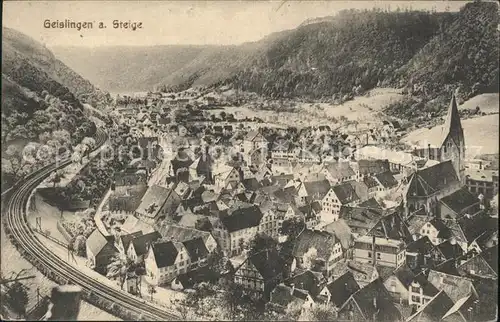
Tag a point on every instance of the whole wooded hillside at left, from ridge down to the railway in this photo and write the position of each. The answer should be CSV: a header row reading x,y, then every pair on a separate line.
x,y
42,111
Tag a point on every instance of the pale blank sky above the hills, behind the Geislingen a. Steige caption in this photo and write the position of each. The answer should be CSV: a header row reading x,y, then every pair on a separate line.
x,y
180,22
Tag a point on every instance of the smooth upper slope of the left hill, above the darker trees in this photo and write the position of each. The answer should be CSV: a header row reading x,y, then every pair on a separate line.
x,y
23,55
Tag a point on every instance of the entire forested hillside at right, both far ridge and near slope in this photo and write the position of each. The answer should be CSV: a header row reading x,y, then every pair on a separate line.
x,y
356,51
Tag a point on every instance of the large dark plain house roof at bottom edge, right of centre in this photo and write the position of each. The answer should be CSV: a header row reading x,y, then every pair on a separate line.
x,y
371,303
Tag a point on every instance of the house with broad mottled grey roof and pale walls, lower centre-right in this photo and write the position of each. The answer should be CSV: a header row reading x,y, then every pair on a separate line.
x,y
317,250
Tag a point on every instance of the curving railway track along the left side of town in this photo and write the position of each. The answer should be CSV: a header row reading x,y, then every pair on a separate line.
x,y
16,222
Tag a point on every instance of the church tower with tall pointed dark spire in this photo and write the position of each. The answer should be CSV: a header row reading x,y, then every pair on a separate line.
x,y
453,143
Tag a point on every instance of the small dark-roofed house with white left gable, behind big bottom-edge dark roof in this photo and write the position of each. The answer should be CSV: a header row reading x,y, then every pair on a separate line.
x,y
338,291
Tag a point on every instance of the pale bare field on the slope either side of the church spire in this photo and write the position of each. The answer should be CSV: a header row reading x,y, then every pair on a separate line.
x,y
481,135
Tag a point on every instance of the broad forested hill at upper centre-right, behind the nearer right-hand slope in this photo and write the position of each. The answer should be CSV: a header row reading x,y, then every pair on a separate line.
x,y
344,55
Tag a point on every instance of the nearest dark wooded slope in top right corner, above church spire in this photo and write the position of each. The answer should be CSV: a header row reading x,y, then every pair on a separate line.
x,y
463,56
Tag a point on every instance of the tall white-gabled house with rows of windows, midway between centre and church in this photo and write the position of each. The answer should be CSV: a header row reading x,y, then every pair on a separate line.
x,y
340,195
